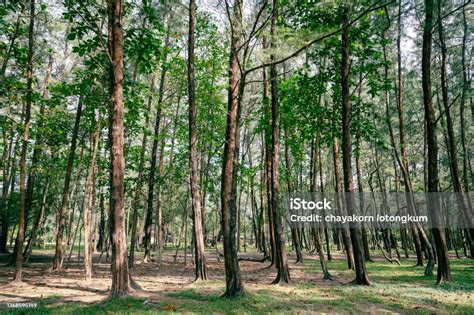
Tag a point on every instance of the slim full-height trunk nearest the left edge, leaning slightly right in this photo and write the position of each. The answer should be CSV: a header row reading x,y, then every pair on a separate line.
x,y
24,149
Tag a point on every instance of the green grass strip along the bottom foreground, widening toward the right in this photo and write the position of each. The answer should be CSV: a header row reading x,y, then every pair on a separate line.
x,y
395,289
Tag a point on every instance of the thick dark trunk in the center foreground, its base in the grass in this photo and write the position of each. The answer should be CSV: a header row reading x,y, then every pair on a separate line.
x,y
234,285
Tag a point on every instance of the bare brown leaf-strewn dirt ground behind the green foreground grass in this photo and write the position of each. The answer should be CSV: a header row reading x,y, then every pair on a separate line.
x,y
69,284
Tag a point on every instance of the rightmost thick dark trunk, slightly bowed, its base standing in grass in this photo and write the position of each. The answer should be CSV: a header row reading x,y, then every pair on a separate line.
x,y
444,272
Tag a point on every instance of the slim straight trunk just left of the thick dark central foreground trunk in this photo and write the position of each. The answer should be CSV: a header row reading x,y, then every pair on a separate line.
x,y
199,255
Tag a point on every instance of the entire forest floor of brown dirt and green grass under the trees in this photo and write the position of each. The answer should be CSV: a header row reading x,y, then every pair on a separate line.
x,y
170,287
